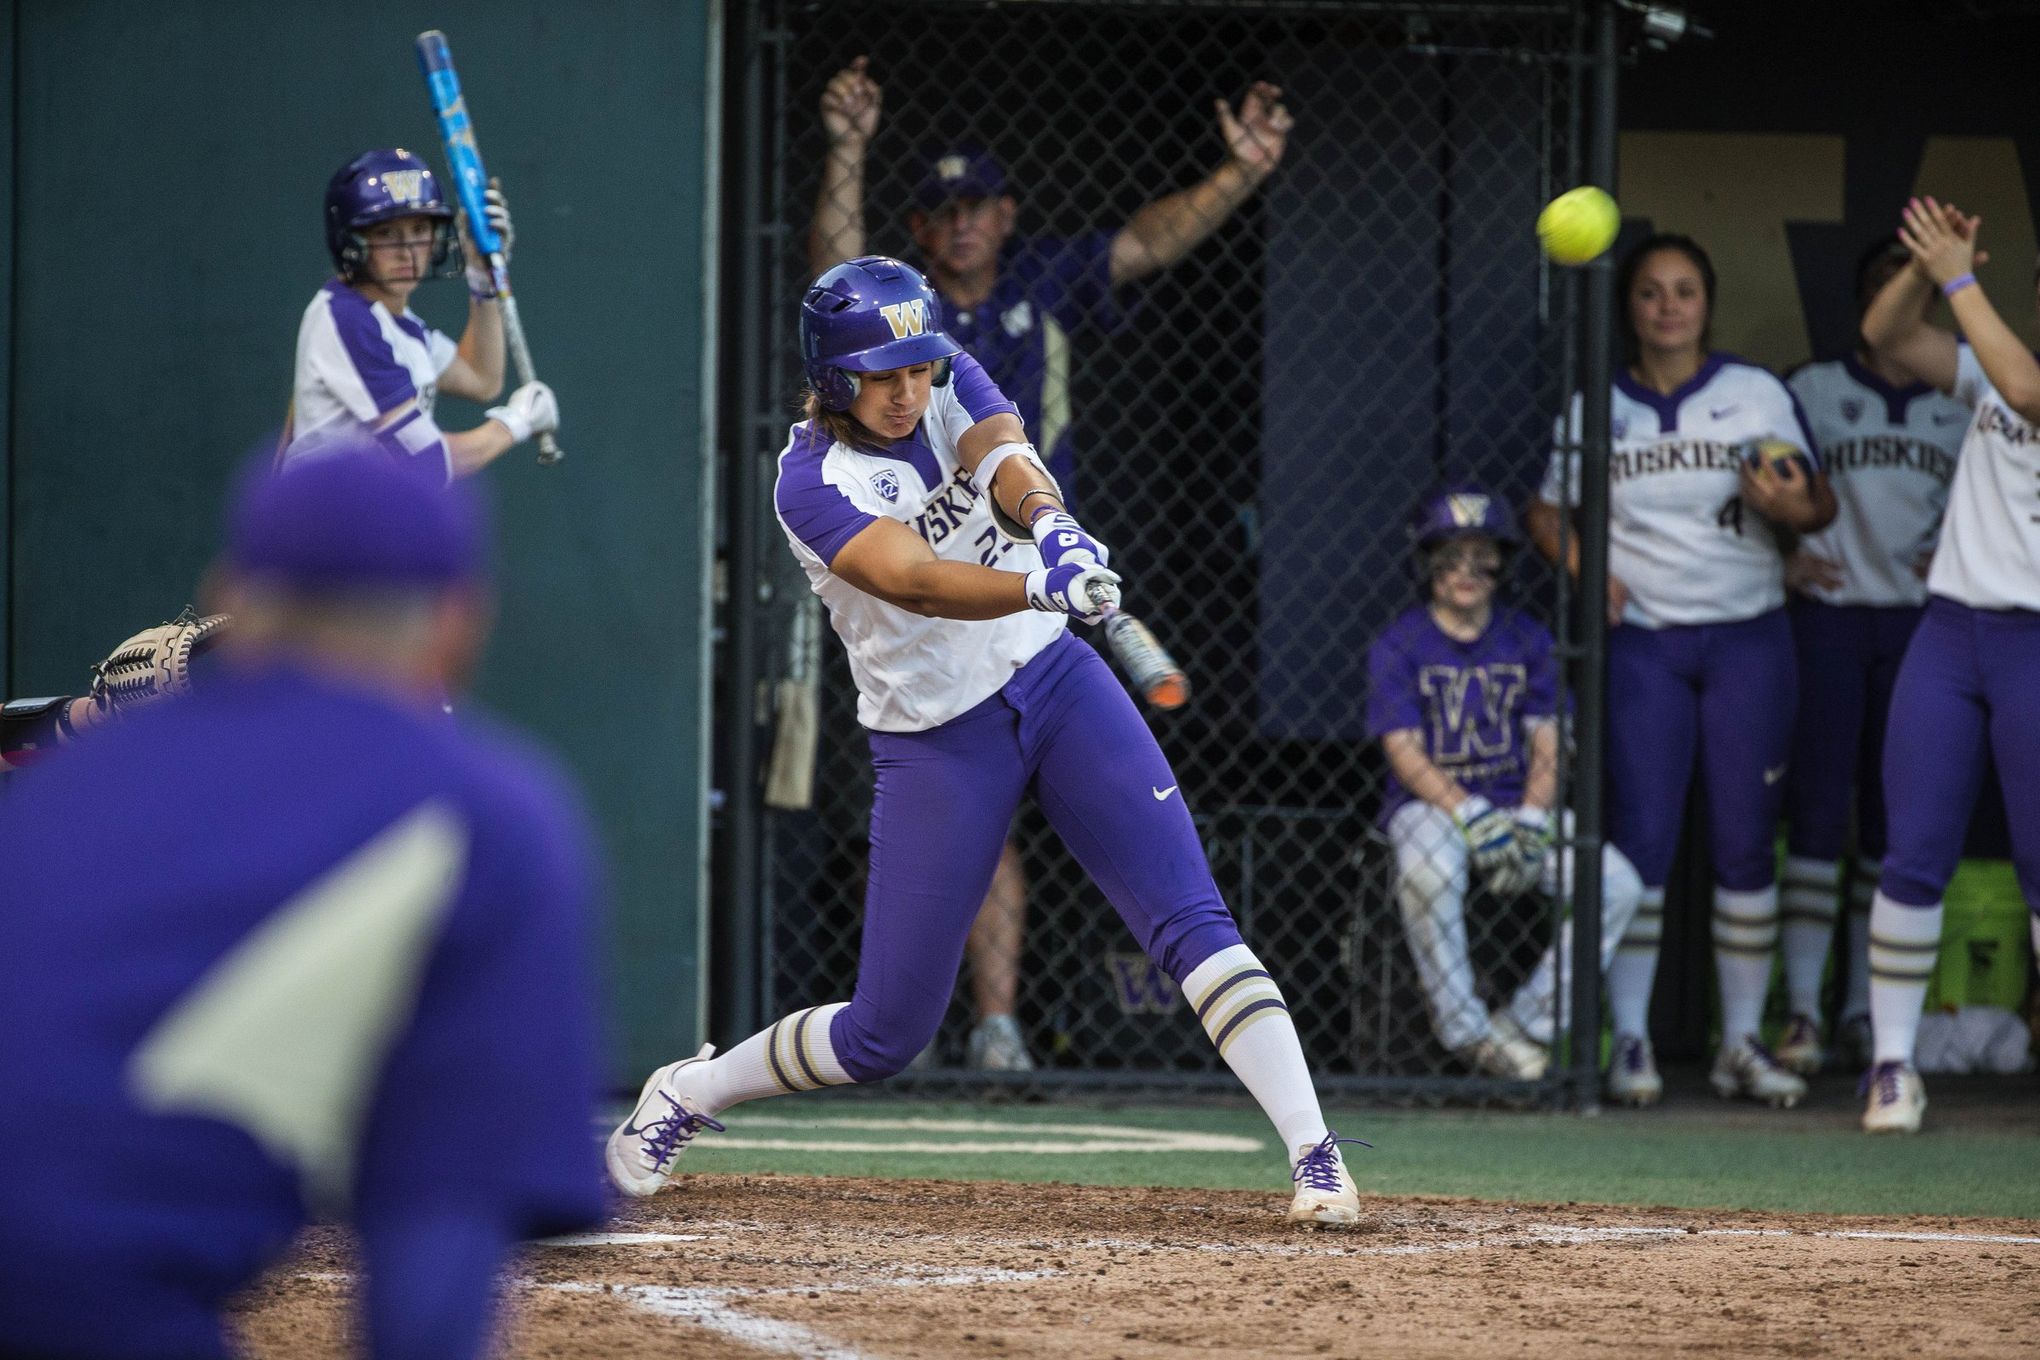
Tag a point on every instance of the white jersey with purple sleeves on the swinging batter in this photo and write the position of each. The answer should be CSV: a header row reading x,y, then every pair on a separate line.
x,y
911,672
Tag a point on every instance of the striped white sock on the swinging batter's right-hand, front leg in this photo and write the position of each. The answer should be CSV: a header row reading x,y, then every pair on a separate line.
x,y
1241,1008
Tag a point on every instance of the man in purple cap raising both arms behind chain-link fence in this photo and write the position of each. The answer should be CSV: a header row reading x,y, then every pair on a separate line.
x,y
1013,303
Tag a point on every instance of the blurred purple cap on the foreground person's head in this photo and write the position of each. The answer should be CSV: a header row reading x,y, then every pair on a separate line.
x,y
356,519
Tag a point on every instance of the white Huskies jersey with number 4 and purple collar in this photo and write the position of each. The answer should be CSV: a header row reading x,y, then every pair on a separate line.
x,y
1680,537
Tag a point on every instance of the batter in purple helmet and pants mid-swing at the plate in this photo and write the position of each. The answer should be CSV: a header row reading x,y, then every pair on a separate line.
x,y
905,494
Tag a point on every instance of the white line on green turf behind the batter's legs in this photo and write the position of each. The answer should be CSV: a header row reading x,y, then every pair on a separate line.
x,y
1064,1141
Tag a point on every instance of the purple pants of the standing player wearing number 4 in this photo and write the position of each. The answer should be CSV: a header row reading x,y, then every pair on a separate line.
x,y
1717,692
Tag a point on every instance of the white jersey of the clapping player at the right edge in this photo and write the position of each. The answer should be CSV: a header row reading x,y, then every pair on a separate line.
x,y
1990,545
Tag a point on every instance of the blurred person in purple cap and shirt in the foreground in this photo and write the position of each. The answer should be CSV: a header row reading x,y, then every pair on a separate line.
x,y
297,945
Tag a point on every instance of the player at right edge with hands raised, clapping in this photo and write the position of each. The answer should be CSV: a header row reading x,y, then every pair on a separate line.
x,y
1972,674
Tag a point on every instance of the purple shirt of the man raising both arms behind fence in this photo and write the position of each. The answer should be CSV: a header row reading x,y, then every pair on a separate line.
x,y
1048,289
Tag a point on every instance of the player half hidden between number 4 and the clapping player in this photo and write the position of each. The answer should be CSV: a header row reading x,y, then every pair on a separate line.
x,y
1888,443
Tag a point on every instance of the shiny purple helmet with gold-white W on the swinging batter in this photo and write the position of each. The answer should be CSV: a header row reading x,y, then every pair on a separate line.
x,y
866,317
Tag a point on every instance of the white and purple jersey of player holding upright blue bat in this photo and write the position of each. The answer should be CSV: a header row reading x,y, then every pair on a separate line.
x,y
366,374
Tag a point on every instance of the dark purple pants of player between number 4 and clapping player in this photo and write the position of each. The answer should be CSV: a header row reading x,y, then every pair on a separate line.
x,y
1849,662
